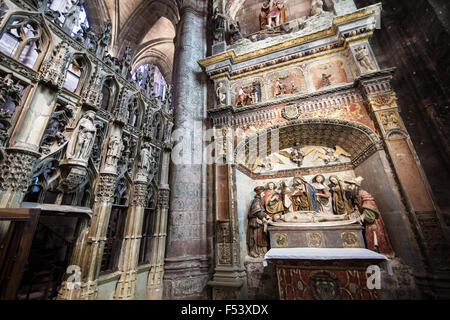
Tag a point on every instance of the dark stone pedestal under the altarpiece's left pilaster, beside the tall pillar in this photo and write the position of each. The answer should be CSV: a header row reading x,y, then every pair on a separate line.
x,y
229,284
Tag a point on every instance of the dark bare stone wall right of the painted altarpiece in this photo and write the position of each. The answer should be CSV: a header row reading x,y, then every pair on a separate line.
x,y
414,38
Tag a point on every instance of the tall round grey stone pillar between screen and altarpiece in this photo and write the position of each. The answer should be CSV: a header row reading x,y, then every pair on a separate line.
x,y
186,268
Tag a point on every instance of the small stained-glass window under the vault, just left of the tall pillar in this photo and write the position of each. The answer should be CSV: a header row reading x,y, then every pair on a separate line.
x,y
151,80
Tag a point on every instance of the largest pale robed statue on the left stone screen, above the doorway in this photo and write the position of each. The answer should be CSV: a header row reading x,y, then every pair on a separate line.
x,y
82,141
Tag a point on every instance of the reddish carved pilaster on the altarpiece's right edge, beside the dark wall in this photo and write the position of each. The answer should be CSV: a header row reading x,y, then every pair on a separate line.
x,y
416,192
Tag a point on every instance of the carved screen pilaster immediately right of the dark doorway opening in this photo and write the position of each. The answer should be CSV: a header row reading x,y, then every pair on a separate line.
x,y
88,252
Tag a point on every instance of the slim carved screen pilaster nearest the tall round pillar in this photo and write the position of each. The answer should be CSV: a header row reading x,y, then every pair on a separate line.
x,y
158,247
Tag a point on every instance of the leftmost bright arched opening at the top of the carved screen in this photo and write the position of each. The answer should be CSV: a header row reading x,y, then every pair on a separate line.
x,y
22,39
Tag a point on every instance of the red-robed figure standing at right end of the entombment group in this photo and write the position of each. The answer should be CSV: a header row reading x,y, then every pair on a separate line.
x,y
375,231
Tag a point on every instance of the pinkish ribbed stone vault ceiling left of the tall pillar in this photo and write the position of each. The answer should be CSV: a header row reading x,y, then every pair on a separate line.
x,y
149,25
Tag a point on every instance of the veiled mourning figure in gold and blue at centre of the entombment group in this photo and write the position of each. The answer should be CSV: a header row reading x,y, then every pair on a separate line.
x,y
304,195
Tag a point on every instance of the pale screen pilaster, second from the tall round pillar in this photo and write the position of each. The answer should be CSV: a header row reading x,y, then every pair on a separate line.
x,y
129,255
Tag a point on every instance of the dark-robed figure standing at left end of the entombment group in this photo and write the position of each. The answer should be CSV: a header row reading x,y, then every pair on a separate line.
x,y
257,237
